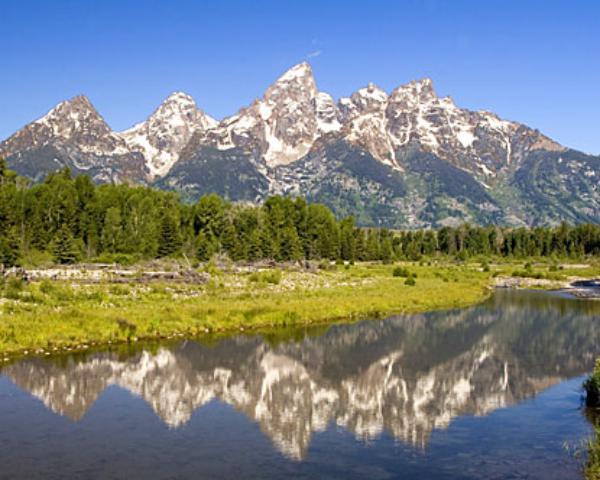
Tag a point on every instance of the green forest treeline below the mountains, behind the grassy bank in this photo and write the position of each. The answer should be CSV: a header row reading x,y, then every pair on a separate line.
x,y
72,219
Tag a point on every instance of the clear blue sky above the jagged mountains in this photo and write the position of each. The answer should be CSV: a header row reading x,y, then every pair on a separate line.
x,y
535,61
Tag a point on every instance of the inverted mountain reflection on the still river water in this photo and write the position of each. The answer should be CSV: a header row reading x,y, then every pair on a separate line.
x,y
406,375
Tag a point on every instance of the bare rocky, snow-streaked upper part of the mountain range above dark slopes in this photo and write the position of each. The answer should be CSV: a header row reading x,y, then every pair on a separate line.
x,y
290,119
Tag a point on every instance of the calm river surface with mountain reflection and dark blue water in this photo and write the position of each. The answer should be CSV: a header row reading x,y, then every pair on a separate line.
x,y
487,392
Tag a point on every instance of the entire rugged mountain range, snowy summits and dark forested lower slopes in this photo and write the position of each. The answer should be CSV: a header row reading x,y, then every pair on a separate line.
x,y
407,159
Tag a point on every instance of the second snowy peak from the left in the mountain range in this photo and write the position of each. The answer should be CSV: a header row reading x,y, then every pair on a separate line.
x,y
162,137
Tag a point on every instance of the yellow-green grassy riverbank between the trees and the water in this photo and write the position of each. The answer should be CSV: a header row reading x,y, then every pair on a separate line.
x,y
50,315
